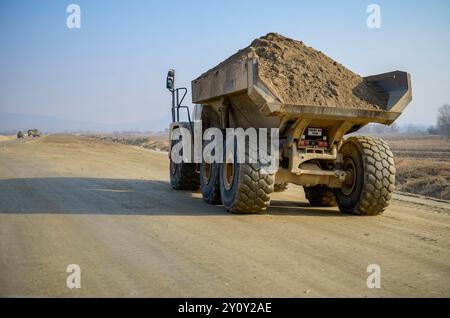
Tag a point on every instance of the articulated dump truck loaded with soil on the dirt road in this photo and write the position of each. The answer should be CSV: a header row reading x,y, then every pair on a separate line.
x,y
315,102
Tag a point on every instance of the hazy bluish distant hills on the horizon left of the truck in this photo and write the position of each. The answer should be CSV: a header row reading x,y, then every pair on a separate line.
x,y
11,123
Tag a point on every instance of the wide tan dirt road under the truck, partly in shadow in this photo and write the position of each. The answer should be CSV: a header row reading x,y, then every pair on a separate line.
x,y
109,208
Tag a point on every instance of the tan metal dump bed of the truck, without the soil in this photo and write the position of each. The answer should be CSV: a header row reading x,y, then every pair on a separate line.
x,y
258,106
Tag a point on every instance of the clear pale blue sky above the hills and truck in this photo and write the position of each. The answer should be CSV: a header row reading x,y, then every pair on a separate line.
x,y
113,69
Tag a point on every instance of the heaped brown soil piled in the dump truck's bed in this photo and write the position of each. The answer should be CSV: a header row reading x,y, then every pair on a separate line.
x,y
300,75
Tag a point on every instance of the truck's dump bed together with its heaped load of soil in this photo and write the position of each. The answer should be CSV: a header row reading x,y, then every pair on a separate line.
x,y
277,76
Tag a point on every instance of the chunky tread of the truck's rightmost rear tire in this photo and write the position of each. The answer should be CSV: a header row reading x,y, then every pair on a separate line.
x,y
379,175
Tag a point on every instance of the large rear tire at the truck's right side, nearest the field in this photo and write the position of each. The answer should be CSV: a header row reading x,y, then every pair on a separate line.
x,y
373,181
